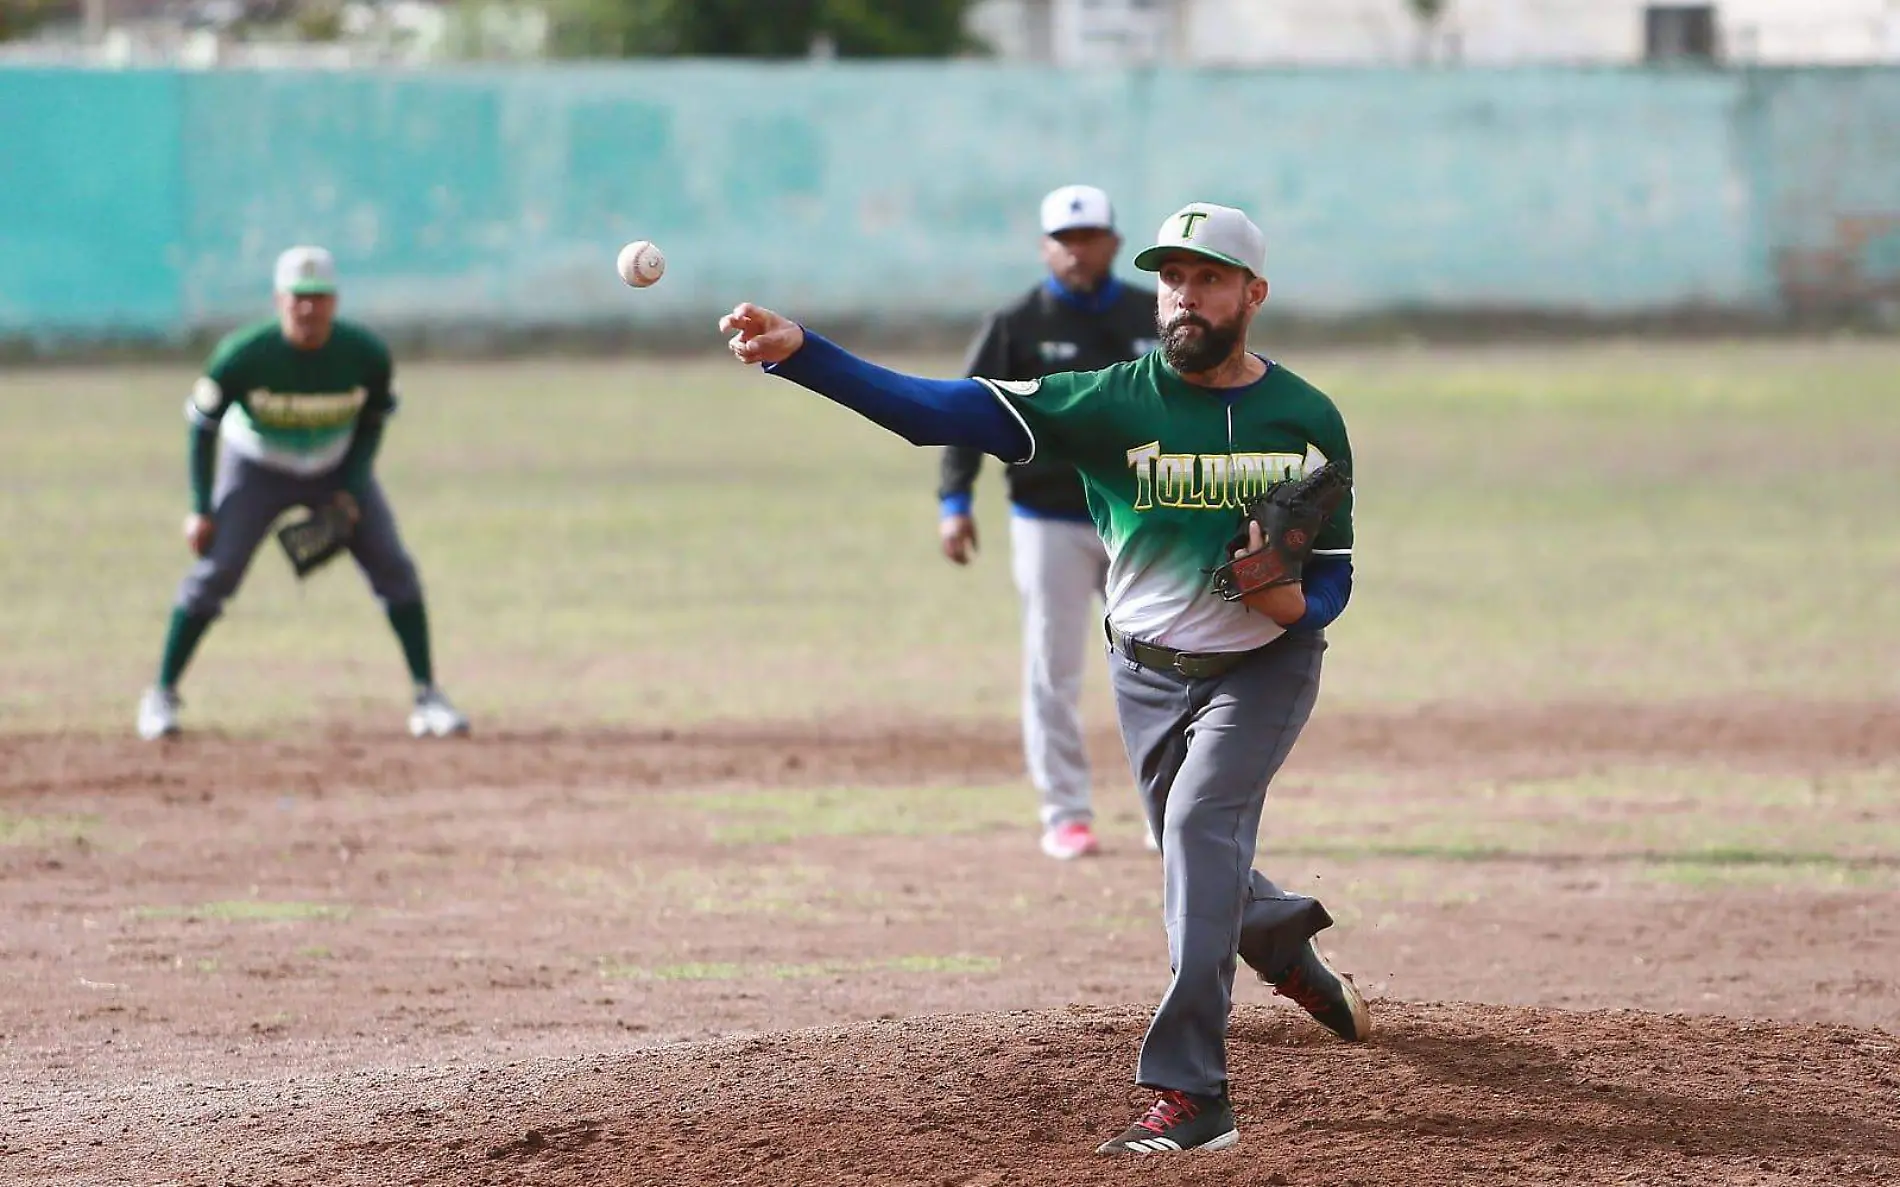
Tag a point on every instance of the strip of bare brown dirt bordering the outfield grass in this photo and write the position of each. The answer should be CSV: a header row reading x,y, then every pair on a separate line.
x,y
1534,740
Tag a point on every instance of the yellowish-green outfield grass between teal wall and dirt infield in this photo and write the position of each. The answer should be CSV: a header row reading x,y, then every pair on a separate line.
x,y
611,542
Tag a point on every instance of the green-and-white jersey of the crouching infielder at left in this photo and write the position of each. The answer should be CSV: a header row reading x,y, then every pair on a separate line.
x,y
294,409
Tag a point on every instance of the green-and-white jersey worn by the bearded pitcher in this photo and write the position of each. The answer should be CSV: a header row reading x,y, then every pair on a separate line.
x,y
1168,468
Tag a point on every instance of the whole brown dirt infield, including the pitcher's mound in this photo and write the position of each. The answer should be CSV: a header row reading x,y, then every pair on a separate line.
x,y
529,960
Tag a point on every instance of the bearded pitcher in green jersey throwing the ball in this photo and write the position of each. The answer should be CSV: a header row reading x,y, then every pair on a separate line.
x,y
1211,692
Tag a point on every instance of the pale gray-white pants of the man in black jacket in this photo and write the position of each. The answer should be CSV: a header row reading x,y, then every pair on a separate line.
x,y
1061,571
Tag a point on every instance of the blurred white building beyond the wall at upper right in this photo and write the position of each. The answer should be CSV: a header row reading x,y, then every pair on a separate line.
x,y
1468,31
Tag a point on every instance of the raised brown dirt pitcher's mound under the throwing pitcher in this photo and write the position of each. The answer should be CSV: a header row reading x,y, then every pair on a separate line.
x,y
1443,1095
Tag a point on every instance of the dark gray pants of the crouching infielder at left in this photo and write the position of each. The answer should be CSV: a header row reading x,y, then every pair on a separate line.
x,y
248,500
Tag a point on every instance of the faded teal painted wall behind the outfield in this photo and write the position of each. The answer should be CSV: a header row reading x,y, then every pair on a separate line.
x,y
153,202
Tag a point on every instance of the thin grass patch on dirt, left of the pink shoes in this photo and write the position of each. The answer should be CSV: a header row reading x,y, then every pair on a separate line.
x,y
780,816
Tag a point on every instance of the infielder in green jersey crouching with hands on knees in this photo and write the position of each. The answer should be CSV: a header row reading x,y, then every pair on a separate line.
x,y
299,405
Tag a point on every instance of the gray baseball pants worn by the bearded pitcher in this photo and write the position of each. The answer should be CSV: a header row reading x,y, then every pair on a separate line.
x,y
1204,753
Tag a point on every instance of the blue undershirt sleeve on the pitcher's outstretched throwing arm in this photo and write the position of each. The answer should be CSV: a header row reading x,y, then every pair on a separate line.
x,y
917,409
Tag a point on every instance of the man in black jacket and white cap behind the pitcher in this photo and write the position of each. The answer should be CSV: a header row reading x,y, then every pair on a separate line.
x,y
1080,318
